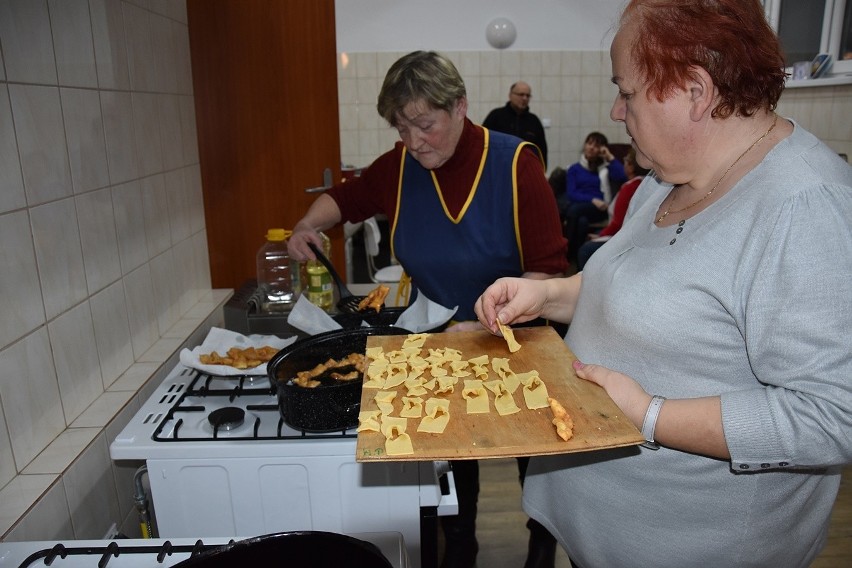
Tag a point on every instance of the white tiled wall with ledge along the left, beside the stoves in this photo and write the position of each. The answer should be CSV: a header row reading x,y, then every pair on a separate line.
x,y
103,250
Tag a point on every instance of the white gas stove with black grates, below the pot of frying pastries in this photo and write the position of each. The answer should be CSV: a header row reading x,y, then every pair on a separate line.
x,y
222,462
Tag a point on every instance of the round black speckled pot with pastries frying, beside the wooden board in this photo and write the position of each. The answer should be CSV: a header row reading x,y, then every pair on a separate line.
x,y
328,407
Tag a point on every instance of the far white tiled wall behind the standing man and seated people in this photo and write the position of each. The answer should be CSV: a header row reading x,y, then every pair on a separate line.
x,y
570,88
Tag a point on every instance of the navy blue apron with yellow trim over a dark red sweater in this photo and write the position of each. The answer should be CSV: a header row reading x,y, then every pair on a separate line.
x,y
452,260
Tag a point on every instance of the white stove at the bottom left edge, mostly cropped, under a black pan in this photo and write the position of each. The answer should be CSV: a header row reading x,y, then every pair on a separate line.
x,y
150,553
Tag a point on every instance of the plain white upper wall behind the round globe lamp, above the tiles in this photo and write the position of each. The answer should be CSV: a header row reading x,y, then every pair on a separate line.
x,y
459,25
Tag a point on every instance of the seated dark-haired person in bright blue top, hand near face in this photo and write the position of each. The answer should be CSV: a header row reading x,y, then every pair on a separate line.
x,y
589,187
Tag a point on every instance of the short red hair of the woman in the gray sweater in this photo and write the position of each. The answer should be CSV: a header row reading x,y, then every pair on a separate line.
x,y
730,39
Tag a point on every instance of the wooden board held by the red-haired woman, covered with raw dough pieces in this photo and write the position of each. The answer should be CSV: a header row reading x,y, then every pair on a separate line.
x,y
598,422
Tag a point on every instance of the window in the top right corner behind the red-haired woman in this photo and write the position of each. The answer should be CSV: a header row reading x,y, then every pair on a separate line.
x,y
809,27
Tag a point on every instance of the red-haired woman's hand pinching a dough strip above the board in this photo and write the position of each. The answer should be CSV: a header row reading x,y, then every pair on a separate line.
x,y
513,300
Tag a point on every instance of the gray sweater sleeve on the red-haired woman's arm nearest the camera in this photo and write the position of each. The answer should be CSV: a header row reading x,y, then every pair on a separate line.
x,y
797,327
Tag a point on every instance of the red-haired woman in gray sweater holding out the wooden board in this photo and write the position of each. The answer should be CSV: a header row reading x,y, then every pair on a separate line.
x,y
717,318
